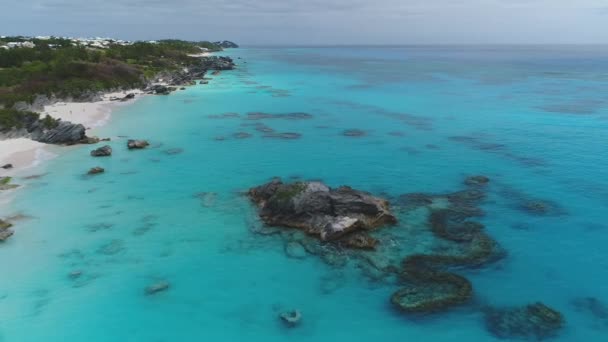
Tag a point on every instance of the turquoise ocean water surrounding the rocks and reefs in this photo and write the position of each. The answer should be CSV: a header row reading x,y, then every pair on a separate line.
x,y
533,119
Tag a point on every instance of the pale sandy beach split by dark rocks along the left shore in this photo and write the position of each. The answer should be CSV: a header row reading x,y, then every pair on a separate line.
x,y
24,153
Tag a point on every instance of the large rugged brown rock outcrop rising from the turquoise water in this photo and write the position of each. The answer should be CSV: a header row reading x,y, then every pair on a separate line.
x,y
329,214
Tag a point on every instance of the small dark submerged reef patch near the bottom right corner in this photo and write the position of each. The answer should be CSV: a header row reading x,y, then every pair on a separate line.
x,y
536,321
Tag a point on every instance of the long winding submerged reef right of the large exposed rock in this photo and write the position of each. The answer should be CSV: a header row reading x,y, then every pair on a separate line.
x,y
429,287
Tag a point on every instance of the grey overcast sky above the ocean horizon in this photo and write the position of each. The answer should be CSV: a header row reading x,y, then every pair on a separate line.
x,y
315,21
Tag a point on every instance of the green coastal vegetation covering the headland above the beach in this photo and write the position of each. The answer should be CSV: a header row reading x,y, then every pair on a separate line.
x,y
57,67
